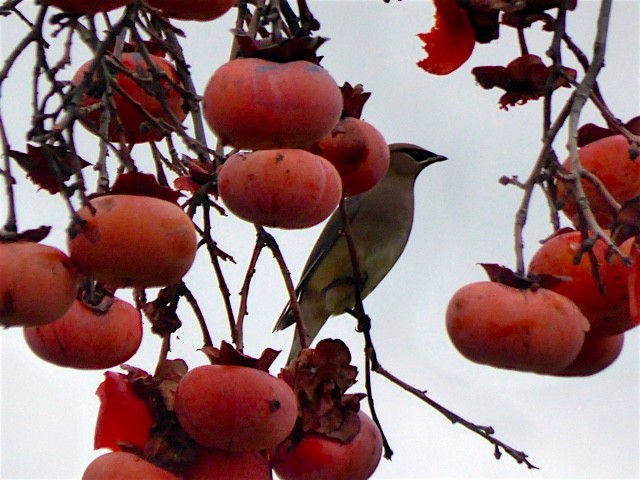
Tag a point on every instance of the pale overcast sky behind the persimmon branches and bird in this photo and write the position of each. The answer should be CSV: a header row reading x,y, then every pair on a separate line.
x,y
570,427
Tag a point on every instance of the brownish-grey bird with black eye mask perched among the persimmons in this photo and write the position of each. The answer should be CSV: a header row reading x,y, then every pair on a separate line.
x,y
380,220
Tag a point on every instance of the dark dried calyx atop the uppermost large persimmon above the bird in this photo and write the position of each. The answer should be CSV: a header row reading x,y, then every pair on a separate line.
x,y
281,51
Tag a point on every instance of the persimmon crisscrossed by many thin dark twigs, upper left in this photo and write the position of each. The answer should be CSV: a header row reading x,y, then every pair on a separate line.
x,y
136,126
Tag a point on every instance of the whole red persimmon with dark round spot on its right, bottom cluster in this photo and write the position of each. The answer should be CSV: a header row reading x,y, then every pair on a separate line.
x,y
234,408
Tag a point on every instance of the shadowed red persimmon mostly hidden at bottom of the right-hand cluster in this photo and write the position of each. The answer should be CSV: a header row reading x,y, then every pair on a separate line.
x,y
596,354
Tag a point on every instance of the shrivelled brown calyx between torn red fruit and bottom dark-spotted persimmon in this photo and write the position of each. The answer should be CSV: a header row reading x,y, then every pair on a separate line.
x,y
169,446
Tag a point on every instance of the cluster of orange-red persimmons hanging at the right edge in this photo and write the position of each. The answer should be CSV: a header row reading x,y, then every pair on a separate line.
x,y
568,317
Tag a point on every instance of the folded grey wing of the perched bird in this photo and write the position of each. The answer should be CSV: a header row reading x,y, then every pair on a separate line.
x,y
327,238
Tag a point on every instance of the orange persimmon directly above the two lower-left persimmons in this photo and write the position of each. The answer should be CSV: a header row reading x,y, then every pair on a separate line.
x,y
133,241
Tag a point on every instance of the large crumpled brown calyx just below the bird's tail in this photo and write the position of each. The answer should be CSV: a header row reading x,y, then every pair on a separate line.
x,y
319,377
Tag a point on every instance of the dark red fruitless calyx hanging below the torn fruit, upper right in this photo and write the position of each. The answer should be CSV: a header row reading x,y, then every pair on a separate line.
x,y
525,78
